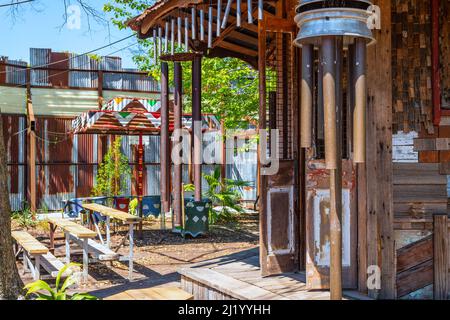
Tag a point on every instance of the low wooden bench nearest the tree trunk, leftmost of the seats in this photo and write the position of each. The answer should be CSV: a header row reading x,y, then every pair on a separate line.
x,y
42,256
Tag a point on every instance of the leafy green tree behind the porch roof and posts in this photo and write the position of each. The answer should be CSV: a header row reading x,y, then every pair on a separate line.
x,y
229,85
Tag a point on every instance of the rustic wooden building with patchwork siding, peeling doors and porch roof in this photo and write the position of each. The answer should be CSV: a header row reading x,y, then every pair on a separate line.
x,y
385,206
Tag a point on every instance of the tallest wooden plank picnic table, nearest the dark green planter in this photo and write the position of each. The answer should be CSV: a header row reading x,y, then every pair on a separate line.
x,y
124,217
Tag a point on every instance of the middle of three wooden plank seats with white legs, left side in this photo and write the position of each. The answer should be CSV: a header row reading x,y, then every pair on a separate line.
x,y
72,230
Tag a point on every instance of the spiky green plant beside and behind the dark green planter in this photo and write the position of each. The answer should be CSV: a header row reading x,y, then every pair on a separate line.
x,y
223,193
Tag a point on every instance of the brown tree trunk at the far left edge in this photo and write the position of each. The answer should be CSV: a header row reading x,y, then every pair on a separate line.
x,y
10,283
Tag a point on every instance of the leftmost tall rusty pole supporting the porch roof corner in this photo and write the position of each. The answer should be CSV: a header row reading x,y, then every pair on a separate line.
x,y
165,157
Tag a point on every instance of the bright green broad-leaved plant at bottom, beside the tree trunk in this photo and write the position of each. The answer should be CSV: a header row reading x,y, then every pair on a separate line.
x,y
59,292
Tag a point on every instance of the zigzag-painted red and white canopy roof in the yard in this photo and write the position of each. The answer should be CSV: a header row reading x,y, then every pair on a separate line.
x,y
131,116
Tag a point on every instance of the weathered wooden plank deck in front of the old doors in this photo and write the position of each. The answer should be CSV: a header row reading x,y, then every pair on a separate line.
x,y
238,277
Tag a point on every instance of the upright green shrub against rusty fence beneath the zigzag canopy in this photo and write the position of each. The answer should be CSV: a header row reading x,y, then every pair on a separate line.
x,y
113,172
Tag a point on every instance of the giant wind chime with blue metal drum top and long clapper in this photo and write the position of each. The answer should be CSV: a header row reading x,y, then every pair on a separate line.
x,y
332,26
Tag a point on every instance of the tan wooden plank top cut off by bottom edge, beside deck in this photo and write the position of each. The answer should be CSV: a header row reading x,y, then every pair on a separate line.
x,y
169,293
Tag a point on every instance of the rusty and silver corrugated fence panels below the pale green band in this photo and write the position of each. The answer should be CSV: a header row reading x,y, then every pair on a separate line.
x,y
67,164
